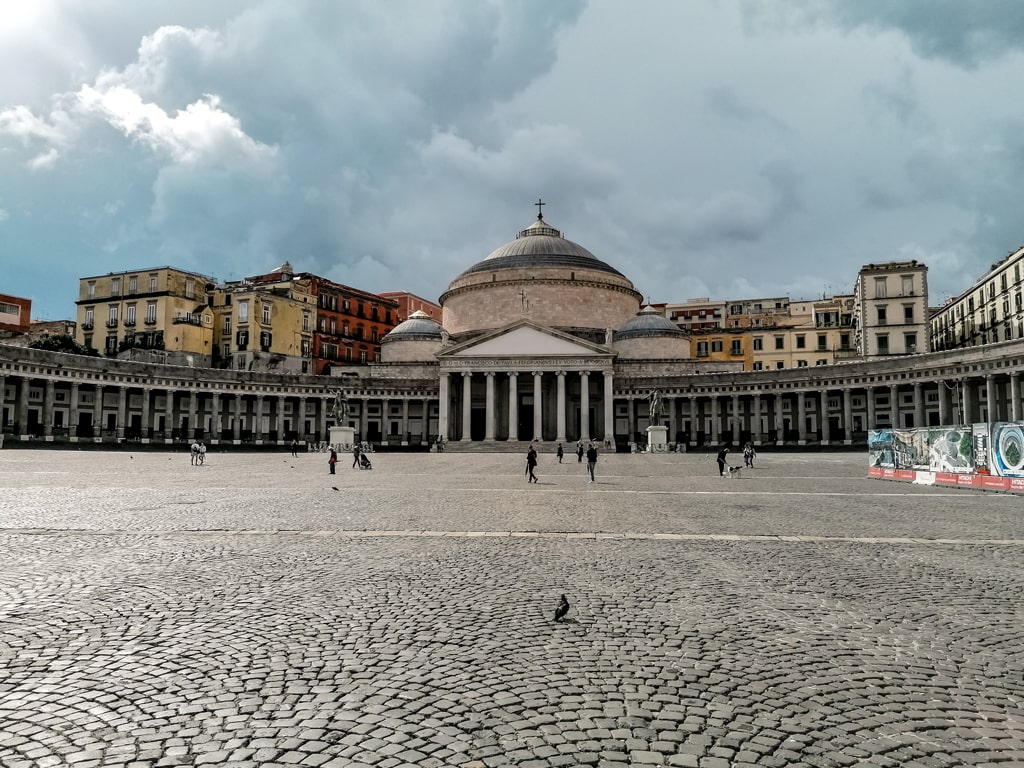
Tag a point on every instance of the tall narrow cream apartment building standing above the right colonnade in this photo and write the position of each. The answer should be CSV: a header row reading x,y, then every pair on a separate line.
x,y
891,309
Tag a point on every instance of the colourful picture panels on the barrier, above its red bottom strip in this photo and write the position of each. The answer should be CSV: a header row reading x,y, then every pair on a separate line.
x,y
996,449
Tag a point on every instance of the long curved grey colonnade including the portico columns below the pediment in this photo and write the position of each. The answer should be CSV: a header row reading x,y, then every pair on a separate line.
x,y
63,398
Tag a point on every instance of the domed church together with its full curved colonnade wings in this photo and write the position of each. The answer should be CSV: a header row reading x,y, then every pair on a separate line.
x,y
540,342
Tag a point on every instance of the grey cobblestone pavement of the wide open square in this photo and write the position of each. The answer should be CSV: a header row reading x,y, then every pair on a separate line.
x,y
248,614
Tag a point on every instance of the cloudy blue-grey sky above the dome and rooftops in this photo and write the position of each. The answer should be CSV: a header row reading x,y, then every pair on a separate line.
x,y
730,149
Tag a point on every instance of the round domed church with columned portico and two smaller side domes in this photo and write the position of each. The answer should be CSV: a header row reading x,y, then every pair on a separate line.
x,y
540,342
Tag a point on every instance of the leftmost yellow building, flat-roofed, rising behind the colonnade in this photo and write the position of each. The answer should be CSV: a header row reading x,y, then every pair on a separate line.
x,y
157,315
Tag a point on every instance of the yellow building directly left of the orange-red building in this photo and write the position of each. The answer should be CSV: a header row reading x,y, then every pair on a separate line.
x,y
266,323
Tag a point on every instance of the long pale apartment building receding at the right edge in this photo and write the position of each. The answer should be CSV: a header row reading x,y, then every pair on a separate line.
x,y
990,312
